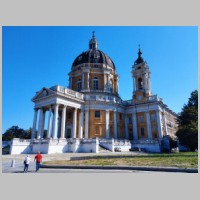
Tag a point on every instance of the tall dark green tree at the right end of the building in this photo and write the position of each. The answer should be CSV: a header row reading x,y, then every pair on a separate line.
x,y
188,123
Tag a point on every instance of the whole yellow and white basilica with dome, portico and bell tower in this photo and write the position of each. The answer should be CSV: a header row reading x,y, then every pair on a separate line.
x,y
89,114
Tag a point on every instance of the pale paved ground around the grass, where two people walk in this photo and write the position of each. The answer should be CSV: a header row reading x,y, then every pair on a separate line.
x,y
14,164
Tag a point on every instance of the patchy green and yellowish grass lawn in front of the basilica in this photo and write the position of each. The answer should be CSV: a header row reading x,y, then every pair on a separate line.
x,y
180,160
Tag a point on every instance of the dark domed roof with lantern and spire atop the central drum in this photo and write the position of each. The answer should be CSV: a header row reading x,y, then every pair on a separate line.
x,y
93,55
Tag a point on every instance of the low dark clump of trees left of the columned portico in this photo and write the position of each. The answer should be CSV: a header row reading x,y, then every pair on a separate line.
x,y
16,132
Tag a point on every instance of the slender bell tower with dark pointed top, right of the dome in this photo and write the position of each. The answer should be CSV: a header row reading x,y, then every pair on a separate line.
x,y
141,79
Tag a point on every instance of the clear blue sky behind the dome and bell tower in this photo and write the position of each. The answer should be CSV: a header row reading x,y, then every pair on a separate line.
x,y
36,57
